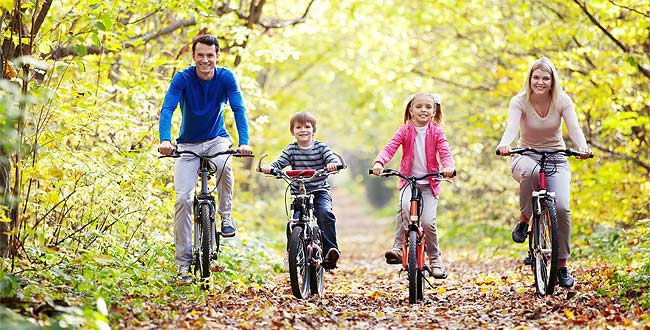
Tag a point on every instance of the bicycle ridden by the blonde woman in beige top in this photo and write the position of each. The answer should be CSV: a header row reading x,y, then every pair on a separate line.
x,y
543,242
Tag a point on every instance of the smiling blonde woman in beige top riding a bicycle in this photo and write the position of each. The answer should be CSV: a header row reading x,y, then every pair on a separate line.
x,y
537,113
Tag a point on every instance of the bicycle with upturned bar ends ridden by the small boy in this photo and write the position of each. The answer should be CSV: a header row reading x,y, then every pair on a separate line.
x,y
304,243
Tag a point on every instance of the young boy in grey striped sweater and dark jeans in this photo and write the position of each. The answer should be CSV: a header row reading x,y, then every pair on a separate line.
x,y
307,153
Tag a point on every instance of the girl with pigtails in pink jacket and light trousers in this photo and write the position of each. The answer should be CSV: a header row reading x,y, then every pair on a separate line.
x,y
424,145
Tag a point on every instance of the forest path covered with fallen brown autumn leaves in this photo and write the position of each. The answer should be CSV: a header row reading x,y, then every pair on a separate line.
x,y
364,293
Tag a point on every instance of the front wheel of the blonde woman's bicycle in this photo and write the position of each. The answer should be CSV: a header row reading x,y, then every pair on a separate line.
x,y
546,235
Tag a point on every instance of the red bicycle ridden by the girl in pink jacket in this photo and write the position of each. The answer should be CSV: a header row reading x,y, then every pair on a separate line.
x,y
414,242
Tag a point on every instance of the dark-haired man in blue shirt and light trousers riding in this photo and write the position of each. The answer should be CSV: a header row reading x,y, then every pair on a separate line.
x,y
202,91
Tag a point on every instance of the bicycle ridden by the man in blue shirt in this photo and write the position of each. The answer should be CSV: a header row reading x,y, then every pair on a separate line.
x,y
206,237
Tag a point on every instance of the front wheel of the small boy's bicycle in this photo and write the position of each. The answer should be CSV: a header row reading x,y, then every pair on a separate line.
x,y
298,266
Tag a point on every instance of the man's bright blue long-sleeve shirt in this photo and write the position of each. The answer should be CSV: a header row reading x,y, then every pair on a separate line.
x,y
202,106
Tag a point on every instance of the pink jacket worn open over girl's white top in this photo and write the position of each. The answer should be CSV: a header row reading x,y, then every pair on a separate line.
x,y
435,143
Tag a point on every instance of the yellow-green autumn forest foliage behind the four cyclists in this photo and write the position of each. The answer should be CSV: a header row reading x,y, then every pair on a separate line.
x,y
87,205
